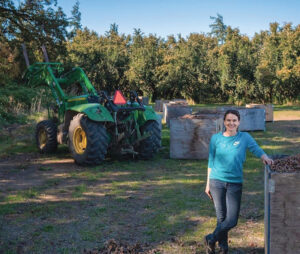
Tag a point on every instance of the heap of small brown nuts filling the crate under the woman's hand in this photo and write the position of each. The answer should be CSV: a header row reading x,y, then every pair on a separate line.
x,y
289,164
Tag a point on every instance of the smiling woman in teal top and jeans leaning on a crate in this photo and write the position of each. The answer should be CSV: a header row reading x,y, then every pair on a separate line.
x,y
227,153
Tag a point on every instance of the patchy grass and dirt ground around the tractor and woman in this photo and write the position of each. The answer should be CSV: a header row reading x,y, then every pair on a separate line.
x,y
50,205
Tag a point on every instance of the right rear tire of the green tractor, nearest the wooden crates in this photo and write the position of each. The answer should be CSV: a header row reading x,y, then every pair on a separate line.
x,y
149,146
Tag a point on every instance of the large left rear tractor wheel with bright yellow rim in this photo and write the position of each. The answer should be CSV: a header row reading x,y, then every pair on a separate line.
x,y
88,140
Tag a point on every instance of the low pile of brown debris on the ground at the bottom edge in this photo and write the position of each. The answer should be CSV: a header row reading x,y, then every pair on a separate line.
x,y
113,247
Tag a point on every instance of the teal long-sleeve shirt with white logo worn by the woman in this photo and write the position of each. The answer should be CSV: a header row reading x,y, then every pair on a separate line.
x,y
227,156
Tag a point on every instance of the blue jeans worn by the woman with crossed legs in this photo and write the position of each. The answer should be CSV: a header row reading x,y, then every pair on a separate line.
x,y
227,200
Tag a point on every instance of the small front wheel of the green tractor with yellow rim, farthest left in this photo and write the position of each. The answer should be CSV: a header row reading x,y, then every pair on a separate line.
x,y
46,136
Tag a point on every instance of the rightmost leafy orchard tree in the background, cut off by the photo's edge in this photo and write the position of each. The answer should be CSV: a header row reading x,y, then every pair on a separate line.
x,y
277,73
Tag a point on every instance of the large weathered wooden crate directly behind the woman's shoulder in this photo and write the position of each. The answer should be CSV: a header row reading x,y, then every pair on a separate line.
x,y
190,135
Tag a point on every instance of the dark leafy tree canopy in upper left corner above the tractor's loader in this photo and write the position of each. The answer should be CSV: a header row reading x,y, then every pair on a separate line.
x,y
35,23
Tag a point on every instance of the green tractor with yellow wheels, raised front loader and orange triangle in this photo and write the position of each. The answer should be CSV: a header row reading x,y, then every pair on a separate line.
x,y
92,124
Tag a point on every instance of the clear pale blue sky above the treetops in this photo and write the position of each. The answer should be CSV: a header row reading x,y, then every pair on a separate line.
x,y
173,17
